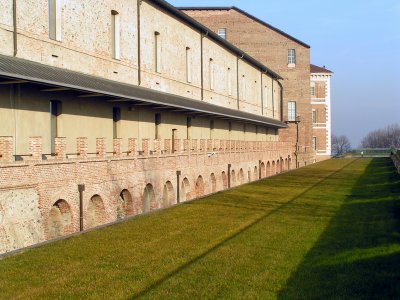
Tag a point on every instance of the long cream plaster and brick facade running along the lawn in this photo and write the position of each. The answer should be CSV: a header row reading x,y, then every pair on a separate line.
x,y
109,109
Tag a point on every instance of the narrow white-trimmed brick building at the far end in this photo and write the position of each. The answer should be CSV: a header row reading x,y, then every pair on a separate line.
x,y
320,91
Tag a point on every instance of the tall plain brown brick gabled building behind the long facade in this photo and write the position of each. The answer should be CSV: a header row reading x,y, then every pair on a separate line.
x,y
285,54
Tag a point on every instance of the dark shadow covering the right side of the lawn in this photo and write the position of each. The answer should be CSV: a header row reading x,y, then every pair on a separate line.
x,y
358,256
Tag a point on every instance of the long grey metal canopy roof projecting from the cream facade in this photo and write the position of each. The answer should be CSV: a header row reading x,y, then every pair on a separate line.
x,y
38,73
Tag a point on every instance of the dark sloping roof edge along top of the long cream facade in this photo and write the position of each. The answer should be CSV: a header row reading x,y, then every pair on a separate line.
x,y
211,34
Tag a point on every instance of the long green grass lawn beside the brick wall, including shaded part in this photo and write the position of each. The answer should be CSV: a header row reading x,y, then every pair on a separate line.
x,y
330,230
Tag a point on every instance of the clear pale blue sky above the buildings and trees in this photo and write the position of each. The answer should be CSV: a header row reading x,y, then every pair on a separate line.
x,y
359,40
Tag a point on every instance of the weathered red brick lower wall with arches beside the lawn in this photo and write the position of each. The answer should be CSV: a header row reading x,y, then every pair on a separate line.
x,y
43,195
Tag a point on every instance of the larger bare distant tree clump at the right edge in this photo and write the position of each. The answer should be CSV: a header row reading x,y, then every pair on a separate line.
x,y
388,137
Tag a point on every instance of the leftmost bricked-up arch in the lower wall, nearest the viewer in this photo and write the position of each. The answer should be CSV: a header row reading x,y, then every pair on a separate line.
x,y
60,220
